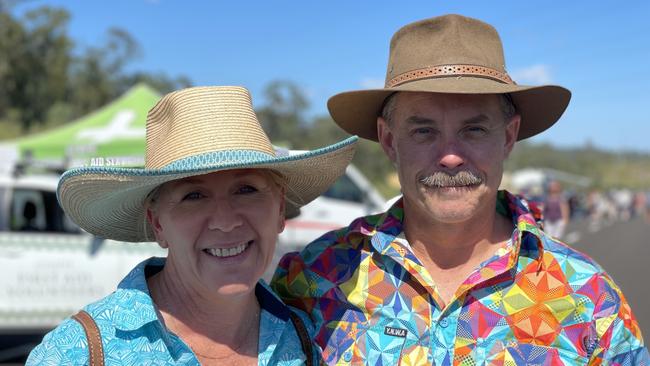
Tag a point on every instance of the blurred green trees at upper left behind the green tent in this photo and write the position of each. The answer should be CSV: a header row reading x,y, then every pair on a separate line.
x,y
44,84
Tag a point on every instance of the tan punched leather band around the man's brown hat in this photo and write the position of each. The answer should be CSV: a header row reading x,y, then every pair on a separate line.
x,y
449,70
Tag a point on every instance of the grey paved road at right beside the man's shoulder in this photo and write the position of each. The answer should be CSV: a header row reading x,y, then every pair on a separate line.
x,y
623,249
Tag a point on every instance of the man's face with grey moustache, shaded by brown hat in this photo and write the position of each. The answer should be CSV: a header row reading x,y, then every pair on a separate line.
x,y
449,151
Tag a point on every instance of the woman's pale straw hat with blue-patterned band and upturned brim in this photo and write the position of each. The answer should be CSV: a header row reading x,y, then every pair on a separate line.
x,y
192,132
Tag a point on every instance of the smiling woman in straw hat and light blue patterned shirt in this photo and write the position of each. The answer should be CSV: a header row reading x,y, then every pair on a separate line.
x,y
215,195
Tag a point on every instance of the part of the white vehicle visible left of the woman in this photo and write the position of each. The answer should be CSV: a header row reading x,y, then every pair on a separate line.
x,y
50,268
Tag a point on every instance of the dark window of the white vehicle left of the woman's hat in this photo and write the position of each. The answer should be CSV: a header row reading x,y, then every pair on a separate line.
x,y
36,210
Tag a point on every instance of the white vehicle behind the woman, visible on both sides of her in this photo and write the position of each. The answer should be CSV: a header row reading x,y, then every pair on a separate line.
x,y
51,268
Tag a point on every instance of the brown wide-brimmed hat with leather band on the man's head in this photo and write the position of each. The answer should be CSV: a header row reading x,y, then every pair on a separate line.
x,y
449,54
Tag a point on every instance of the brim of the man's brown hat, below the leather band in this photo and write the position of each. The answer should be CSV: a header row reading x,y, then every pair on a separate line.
x,y
539,106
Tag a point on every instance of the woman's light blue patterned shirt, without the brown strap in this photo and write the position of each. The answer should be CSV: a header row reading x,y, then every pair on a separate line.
x,y
132,333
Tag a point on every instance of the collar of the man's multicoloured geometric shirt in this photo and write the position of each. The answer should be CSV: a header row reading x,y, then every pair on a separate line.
x,y
526,216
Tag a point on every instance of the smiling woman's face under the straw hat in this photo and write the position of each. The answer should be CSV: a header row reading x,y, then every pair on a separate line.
x,y
220,228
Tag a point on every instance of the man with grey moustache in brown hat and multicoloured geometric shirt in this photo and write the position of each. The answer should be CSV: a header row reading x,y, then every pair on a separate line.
x,y
456,272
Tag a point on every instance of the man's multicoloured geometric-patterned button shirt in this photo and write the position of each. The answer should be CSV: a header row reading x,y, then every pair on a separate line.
x,y
535,302
